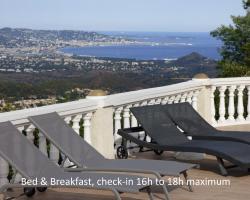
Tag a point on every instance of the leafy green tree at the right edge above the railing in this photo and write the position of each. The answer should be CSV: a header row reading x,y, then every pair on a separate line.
x,y
235,51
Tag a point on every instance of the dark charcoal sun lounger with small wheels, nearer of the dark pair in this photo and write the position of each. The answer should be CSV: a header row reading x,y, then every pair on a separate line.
x,y
167,137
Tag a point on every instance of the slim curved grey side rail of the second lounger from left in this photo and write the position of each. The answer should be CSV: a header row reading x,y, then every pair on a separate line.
x,y
151,172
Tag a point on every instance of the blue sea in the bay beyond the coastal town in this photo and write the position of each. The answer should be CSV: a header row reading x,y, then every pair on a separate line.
x,y
156,46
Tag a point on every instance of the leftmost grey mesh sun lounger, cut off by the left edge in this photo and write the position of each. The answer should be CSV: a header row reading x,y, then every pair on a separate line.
x,y
31,164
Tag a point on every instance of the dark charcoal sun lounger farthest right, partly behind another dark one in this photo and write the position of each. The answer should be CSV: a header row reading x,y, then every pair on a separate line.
x,y
186,117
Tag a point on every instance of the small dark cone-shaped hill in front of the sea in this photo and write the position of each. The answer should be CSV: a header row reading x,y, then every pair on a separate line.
x,y
192,60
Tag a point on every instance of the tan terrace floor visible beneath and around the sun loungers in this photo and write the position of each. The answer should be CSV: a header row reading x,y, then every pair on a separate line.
x,y
238,189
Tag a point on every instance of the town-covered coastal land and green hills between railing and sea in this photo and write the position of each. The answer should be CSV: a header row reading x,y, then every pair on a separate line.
x,y
31,60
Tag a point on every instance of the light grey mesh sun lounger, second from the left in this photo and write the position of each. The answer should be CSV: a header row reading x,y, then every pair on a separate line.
x,y
84,155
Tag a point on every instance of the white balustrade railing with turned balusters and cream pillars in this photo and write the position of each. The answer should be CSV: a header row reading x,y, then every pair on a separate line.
x,y
222,102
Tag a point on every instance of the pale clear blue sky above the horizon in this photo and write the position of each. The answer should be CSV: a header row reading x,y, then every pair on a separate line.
x,y
119,15
